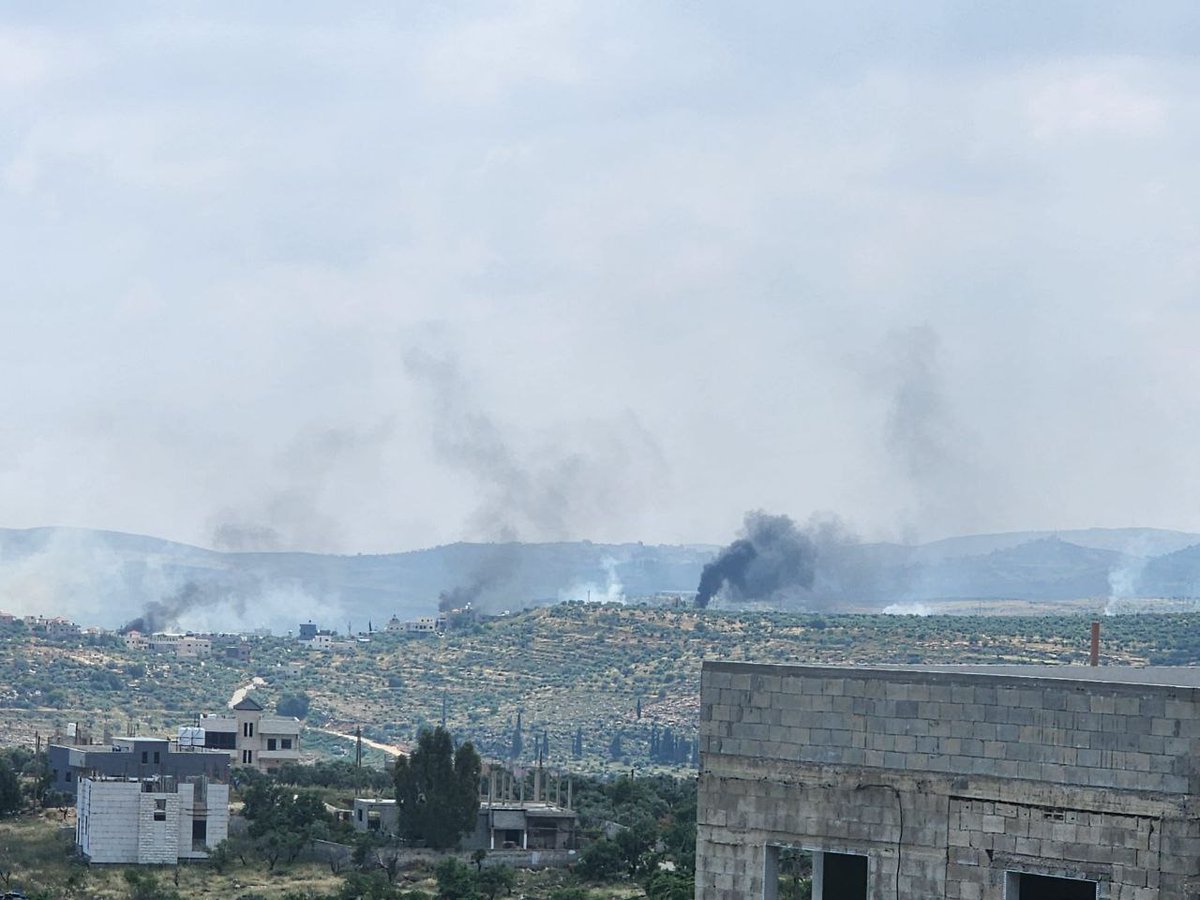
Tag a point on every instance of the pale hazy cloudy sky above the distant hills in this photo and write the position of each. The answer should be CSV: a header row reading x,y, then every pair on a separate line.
x,y
379,277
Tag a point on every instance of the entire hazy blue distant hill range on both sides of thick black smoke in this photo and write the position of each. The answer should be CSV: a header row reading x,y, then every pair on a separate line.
x,y
109,579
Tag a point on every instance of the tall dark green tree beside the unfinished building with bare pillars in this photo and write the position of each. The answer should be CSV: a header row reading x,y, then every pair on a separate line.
x,y
437,790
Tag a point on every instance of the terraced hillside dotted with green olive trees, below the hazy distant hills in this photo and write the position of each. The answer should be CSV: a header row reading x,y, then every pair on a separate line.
x,y
567,670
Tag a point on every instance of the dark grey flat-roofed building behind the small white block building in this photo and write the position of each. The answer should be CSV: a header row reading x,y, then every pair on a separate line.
x,y
133,759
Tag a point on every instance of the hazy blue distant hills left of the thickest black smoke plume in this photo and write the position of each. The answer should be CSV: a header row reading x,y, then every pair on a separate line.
x,y
107,579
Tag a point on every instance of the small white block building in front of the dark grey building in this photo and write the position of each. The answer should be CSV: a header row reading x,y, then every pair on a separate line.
x,y
159,821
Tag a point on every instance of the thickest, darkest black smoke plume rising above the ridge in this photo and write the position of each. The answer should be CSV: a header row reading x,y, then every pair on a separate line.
x,y
773,559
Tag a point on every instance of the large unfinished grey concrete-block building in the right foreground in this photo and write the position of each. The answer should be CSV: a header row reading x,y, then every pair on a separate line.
x,y
973,783
